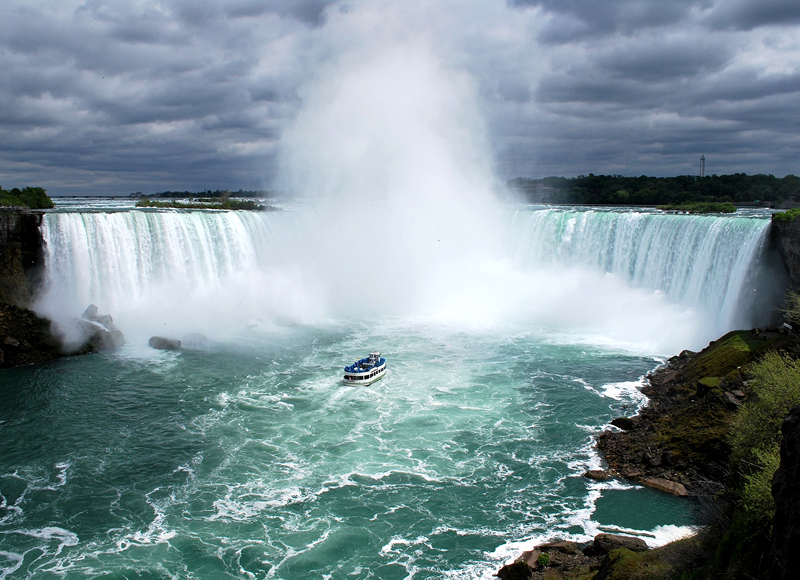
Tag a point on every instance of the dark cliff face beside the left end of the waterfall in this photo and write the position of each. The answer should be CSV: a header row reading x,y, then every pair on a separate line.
x,y
21,256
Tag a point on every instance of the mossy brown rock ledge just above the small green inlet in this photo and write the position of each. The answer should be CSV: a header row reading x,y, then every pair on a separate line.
x,y
677,443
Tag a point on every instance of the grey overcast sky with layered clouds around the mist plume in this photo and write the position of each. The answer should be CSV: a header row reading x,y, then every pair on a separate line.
x,y
105,97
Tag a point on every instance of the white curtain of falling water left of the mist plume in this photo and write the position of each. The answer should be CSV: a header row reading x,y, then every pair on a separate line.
x,y
181,270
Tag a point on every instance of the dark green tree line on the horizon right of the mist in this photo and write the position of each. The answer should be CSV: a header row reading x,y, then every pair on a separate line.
x,y
591,189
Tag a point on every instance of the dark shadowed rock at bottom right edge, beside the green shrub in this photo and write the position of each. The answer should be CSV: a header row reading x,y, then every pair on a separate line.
x,y
786,492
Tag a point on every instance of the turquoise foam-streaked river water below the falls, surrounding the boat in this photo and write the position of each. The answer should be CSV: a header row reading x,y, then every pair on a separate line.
x,y
252,459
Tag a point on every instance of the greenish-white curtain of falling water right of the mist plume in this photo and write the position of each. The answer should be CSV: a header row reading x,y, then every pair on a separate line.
x,y
705,262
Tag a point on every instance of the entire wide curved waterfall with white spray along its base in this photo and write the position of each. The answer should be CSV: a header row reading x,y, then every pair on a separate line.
x,y
662,282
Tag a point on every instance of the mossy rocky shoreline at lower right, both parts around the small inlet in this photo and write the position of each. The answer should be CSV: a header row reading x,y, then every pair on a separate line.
x,y
677,444
